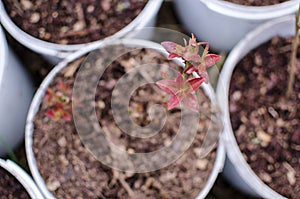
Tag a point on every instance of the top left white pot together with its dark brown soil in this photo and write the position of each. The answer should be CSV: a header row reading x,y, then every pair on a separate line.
x,y
57,28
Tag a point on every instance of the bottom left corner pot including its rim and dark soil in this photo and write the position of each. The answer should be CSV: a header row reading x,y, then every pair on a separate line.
x,y
16,183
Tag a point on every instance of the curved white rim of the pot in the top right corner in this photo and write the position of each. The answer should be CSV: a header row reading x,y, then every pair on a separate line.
x,y
252,12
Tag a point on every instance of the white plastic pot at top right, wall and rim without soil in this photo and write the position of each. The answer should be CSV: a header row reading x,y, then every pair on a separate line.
x,y
222,23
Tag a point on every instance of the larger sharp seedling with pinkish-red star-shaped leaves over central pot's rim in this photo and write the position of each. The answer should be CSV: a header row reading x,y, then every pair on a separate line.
x,y
182,87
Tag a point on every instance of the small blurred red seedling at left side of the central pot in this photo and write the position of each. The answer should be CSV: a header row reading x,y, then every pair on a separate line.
x,y
59,102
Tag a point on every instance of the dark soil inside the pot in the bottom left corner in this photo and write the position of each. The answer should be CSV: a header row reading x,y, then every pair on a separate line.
x,y
10,187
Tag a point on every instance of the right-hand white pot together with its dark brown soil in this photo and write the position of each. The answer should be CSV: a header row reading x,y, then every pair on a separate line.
x,y
261,124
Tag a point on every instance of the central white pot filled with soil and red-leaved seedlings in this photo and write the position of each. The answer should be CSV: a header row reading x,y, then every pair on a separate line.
x,y
64,145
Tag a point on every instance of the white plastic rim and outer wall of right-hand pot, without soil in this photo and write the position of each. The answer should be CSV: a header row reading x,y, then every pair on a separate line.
x,y
236,169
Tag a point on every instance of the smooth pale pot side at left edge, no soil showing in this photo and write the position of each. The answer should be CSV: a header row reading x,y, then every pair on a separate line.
x,y
16,91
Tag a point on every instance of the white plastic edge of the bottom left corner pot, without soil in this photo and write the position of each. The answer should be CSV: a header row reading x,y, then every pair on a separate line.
x,y
22,177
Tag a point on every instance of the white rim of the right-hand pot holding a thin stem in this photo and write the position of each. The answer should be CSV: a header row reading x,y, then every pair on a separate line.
x,y
232,149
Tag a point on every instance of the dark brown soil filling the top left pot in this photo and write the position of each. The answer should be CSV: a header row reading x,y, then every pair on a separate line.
x,y
73,22
